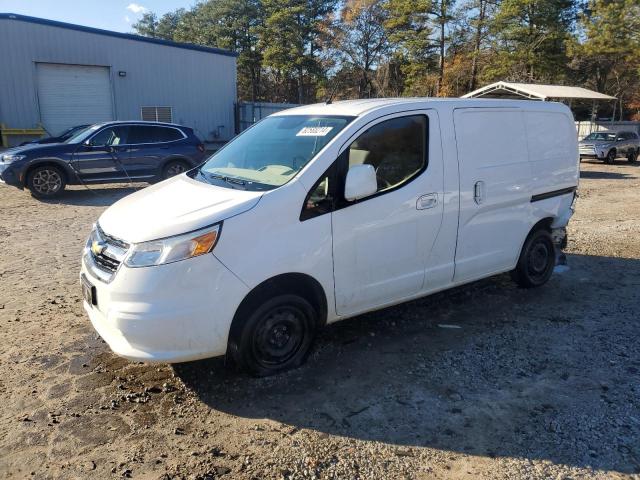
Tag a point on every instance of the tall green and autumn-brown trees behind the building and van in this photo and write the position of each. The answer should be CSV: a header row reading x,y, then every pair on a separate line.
x,y
302,50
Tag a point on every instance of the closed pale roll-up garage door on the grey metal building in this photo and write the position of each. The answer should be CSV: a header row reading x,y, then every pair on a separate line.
x,y
71,95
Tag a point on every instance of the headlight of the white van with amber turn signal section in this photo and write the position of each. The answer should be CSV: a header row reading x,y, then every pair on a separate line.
x,y
173,249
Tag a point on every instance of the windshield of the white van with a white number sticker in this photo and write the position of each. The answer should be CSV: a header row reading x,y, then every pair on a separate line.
x,y
272,152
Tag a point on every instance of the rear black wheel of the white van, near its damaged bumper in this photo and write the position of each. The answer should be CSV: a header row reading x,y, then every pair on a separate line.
x,y
537,260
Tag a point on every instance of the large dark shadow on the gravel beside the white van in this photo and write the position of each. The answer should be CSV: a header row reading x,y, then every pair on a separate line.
x,y
527,373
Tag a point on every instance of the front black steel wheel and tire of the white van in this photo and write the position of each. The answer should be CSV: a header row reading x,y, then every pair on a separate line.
x,y
277,335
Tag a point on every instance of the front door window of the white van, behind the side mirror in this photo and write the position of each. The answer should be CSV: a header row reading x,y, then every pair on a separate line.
x,y
396,148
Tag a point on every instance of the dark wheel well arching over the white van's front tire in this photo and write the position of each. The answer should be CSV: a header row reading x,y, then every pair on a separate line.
x,y
288,283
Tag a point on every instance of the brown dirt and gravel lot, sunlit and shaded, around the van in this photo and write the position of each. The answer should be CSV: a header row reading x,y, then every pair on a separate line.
x,y
533,384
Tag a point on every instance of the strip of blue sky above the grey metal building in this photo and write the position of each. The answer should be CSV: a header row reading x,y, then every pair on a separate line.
x,y
115,15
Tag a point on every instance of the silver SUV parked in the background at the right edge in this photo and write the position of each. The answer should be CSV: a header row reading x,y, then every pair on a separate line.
x,y
608,146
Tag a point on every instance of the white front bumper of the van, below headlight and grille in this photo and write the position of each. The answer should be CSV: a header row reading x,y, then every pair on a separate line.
x,y
169,313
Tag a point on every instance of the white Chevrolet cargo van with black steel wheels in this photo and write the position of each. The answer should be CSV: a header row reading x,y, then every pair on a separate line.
x,y
323,212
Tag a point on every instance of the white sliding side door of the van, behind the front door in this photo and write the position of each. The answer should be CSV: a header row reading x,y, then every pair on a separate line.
x,y
495,190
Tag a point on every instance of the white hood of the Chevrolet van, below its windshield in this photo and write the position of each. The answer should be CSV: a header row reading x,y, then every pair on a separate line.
x,y
173,207
